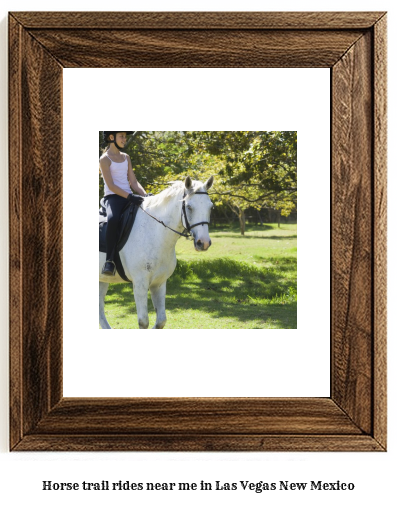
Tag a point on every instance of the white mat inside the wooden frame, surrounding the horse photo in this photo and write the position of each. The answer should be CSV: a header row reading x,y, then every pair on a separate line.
x,y
135,361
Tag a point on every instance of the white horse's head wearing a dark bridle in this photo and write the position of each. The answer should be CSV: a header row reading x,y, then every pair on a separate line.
x,y
197,211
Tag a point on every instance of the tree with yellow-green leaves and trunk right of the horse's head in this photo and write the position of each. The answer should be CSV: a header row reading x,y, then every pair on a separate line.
x,y
257,168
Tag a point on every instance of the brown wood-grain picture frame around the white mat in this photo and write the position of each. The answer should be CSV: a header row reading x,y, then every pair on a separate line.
x,y
353,46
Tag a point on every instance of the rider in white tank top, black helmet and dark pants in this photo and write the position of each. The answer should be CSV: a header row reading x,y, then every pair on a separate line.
x,y
119,178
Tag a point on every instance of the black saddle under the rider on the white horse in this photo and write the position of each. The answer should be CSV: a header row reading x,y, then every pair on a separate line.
x,y
126,222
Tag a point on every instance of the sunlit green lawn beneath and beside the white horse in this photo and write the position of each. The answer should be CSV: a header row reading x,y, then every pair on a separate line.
x,y
241,282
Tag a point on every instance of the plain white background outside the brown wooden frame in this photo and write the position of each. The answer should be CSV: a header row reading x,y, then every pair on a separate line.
x,y
373,474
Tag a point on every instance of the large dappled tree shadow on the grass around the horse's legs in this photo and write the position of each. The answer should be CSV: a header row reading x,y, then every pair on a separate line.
x,y
226,288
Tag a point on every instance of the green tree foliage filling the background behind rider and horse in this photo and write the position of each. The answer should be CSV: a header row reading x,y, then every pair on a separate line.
x,y
251,168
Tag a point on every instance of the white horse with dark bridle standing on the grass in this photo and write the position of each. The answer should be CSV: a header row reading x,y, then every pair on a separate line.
x,y
149,257
